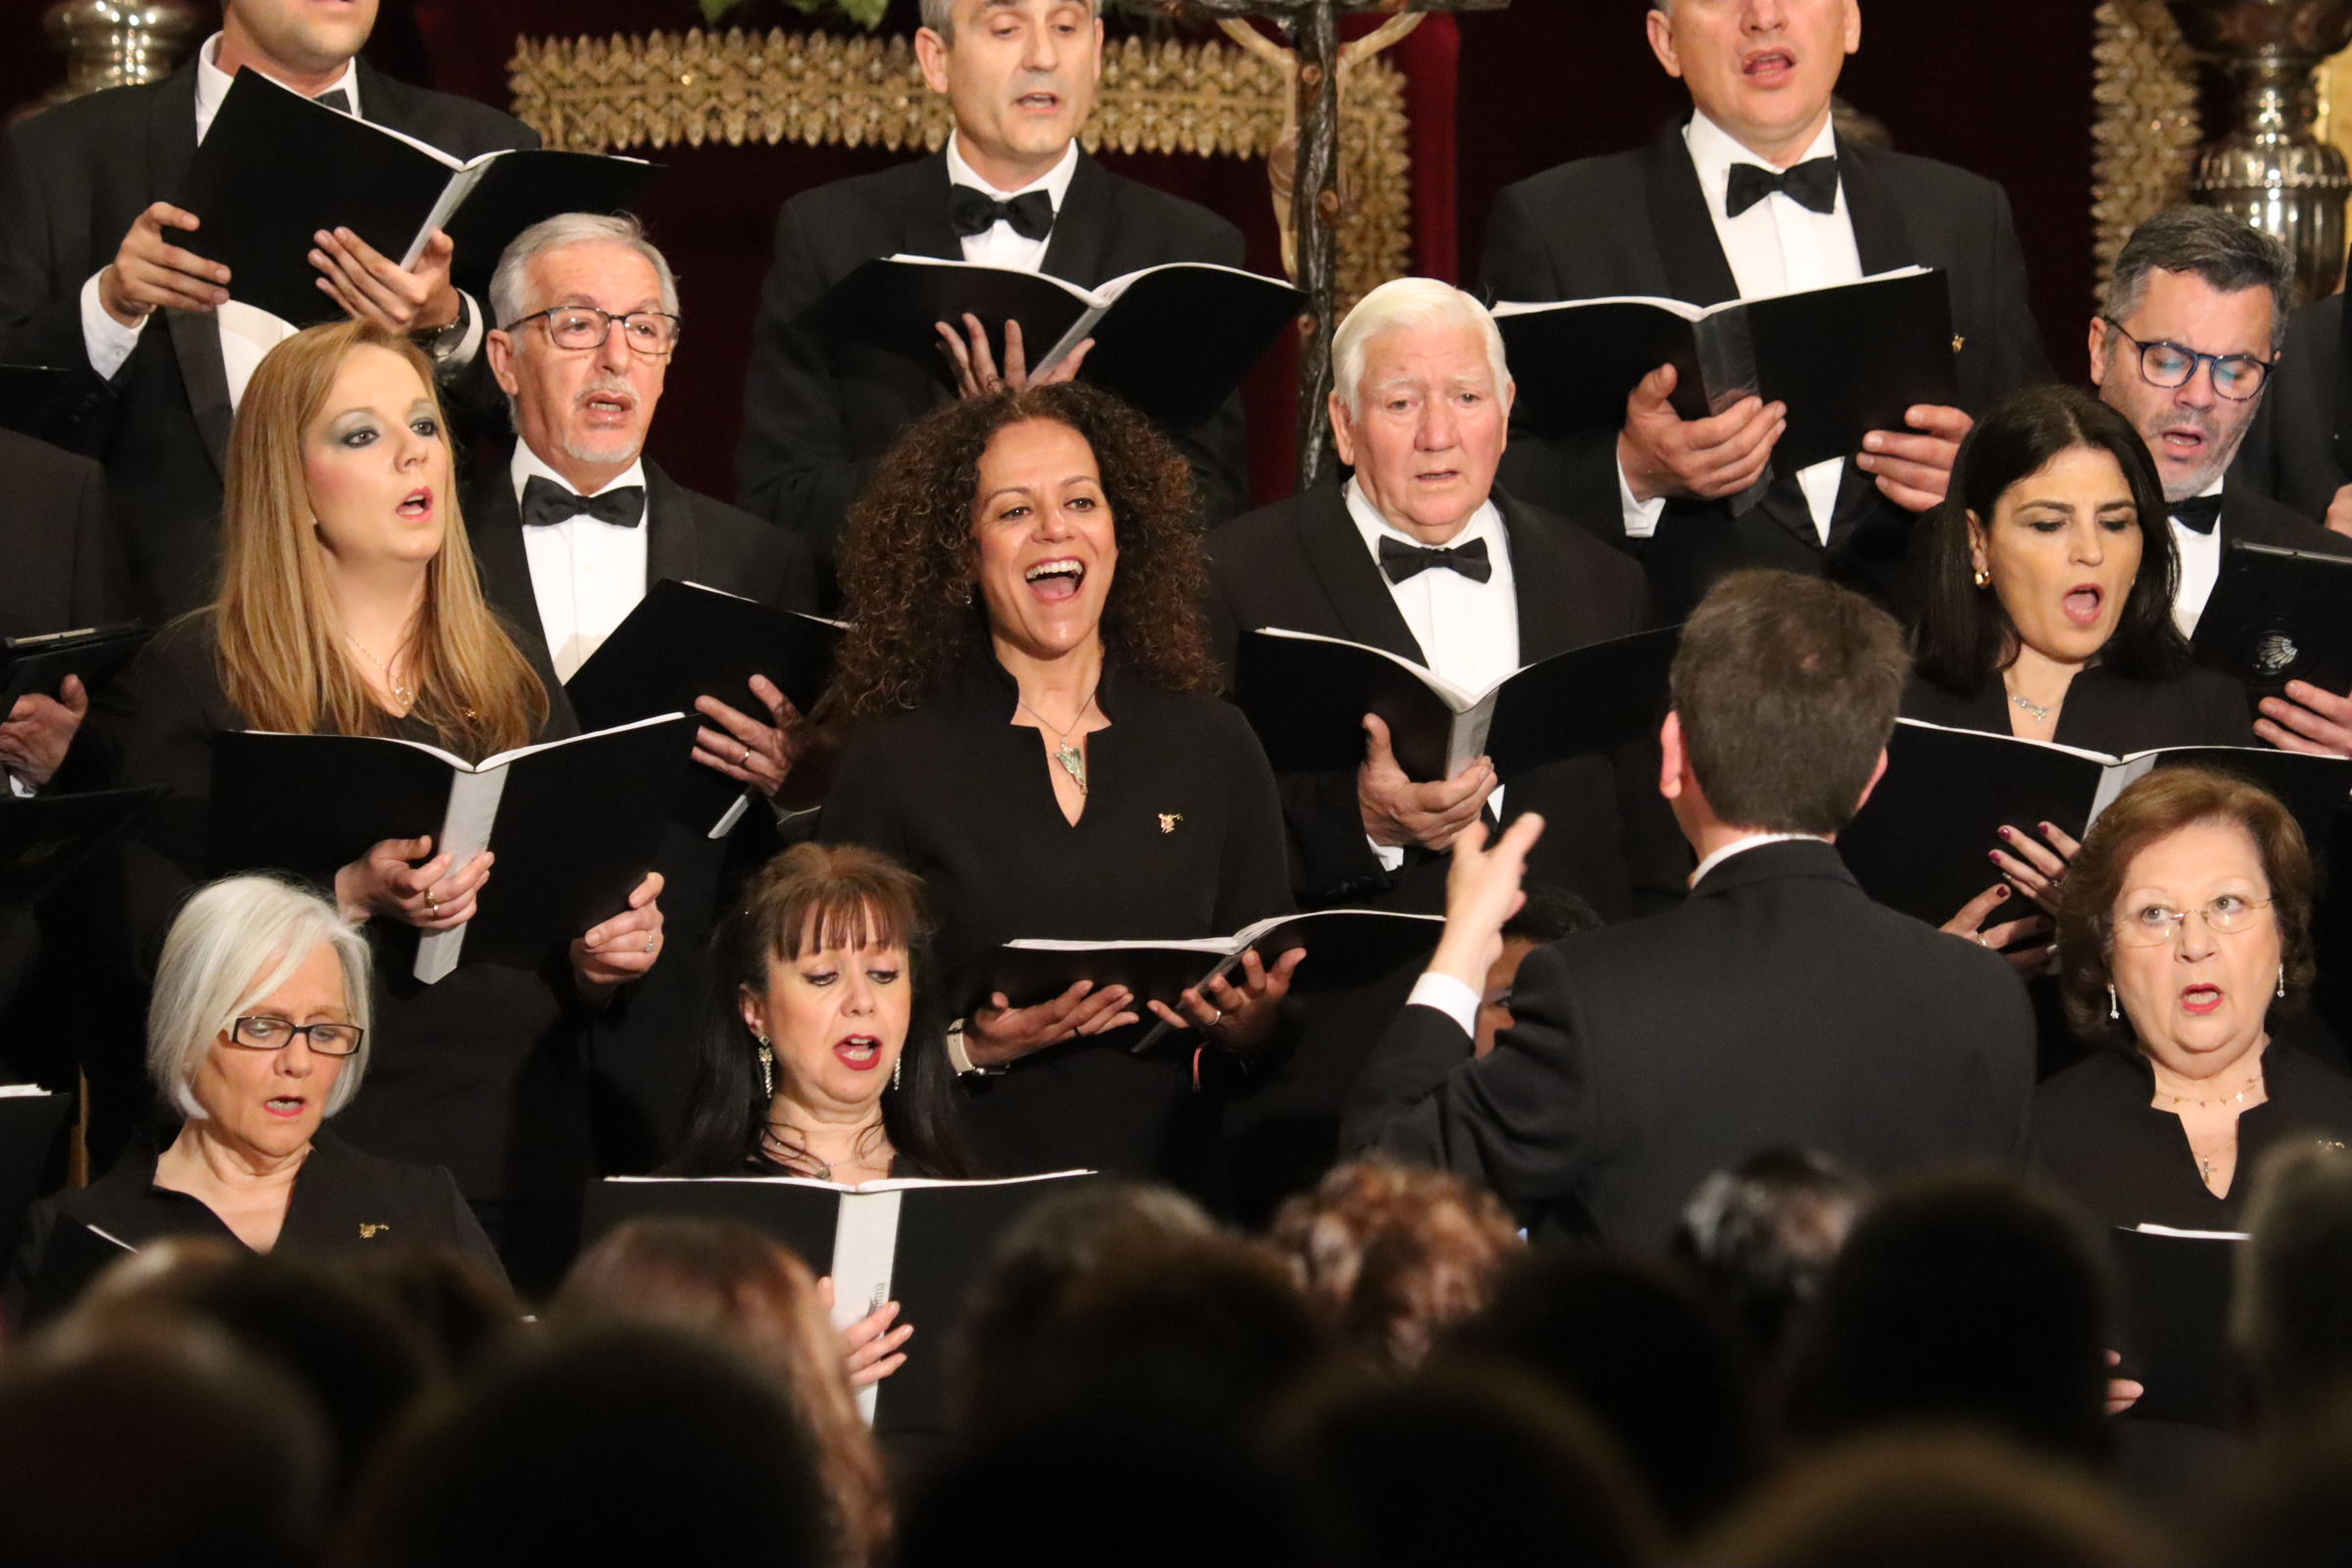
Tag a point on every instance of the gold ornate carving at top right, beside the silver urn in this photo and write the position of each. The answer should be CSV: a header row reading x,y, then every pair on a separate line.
x,y
2146,121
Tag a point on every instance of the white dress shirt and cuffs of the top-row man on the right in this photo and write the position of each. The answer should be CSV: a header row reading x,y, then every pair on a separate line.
x,y
1775,248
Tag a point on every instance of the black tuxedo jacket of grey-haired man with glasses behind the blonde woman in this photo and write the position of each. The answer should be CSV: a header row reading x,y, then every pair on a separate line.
x,y
641,1059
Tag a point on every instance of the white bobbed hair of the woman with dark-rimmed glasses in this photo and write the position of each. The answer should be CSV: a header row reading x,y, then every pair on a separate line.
x,y
232,946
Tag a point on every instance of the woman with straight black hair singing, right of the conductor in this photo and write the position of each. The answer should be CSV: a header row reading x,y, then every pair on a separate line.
x,y
2047,615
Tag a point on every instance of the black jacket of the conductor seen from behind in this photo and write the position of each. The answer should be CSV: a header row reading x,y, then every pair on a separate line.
x,y
1777,1007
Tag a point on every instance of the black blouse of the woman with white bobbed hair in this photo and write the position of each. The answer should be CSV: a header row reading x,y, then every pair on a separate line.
x,y
342,1202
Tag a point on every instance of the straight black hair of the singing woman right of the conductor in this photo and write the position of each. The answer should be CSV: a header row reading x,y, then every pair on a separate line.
x,y
1965,636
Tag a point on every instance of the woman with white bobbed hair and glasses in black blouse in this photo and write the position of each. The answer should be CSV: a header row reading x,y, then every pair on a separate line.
x,y
260,1031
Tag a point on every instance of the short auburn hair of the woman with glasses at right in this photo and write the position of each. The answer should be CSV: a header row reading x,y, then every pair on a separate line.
x,y
2146,815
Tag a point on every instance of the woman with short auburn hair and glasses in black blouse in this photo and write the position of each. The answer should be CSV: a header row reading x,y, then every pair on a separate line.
x,y
2184,942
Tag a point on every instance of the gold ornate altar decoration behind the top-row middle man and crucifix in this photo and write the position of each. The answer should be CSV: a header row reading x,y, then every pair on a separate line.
x,y
813,88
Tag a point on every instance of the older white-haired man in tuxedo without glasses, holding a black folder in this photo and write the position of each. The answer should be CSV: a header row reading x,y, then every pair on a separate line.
x,y
1422,556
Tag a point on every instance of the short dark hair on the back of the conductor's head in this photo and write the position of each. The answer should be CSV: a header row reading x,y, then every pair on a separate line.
x,y
1789,690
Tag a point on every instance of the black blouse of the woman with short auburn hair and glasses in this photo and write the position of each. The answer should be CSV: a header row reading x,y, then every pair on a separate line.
x,y
2102,1137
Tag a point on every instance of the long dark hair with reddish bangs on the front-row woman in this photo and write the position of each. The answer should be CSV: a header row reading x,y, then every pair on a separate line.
x,y
820,897
